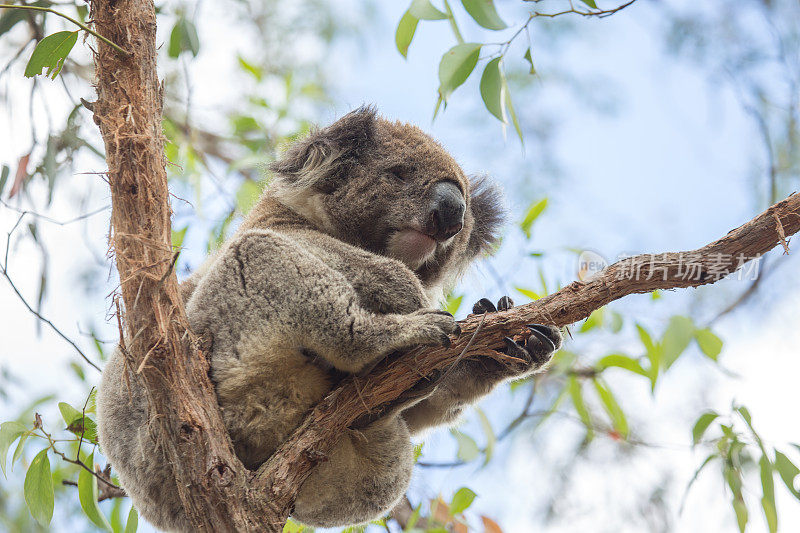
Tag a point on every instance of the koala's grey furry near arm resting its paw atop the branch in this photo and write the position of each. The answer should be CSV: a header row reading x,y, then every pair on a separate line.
x,y
266,285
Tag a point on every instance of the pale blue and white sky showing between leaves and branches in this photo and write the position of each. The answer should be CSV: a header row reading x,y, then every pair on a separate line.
x,y
665,164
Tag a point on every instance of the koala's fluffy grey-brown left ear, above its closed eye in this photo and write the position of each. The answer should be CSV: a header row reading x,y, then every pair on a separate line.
x,y
326,153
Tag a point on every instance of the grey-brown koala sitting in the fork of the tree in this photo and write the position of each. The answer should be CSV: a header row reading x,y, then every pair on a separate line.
x,y
342,262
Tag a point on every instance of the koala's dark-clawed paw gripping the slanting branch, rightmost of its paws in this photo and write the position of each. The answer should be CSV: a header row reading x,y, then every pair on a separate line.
x,y
537,350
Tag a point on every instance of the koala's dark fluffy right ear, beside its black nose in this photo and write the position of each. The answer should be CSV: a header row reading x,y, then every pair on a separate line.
x,y
488,211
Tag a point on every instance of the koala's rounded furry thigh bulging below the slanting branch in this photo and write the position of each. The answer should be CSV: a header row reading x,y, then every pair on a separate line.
x,y
365,476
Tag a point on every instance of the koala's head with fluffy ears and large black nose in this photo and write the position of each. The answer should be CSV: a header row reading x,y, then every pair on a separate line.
x,y
391,189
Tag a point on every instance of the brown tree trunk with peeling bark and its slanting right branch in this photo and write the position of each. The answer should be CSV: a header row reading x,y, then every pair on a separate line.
x,y
218,493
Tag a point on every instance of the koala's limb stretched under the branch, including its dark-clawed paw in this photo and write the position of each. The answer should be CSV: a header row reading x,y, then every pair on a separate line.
x,y
470,380
